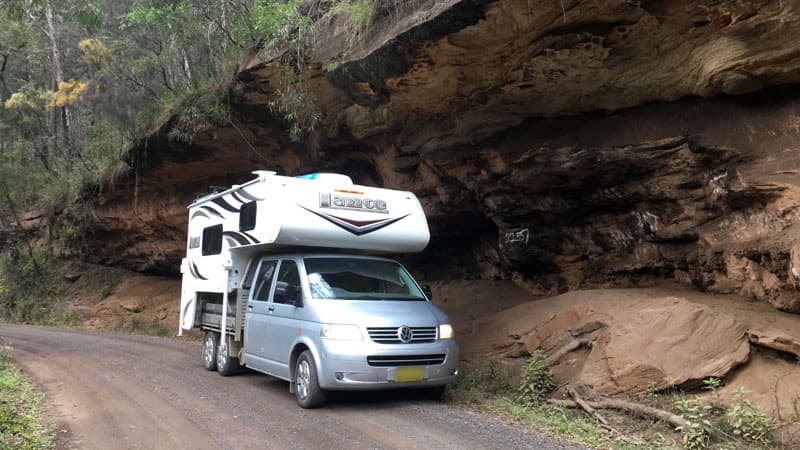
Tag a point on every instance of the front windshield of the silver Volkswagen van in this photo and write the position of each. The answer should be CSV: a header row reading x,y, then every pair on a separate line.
x,y
360,279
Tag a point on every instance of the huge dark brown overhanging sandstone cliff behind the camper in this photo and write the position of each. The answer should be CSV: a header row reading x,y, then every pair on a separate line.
x,y
562,144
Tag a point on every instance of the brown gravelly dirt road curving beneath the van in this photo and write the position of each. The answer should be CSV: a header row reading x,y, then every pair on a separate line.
x,y
117,391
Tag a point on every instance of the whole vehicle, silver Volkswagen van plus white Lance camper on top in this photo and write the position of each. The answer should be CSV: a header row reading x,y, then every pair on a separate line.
x,y
282,275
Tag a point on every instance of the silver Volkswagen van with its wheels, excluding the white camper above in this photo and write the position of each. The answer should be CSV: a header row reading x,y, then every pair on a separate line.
x,y
340,322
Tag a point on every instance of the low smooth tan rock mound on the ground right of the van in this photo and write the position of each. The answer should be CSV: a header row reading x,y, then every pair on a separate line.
x,y
632,340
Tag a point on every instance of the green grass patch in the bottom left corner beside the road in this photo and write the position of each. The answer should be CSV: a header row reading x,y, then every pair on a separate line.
x,y
21,410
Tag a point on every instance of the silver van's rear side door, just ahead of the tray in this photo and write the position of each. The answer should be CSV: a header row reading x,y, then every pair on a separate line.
x,y
255,323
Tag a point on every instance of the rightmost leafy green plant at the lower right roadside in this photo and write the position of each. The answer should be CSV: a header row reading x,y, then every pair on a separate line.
x,y
748,421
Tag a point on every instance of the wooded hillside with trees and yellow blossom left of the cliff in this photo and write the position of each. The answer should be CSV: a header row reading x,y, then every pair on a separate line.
x,y
81,81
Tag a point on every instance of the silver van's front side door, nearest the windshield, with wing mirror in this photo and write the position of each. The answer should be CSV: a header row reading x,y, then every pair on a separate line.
x,y
283,322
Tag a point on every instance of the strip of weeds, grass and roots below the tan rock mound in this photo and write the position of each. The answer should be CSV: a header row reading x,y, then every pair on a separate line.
x,y
655,419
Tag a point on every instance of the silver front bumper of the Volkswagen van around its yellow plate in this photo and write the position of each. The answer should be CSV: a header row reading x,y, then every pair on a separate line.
x,y
343,364
